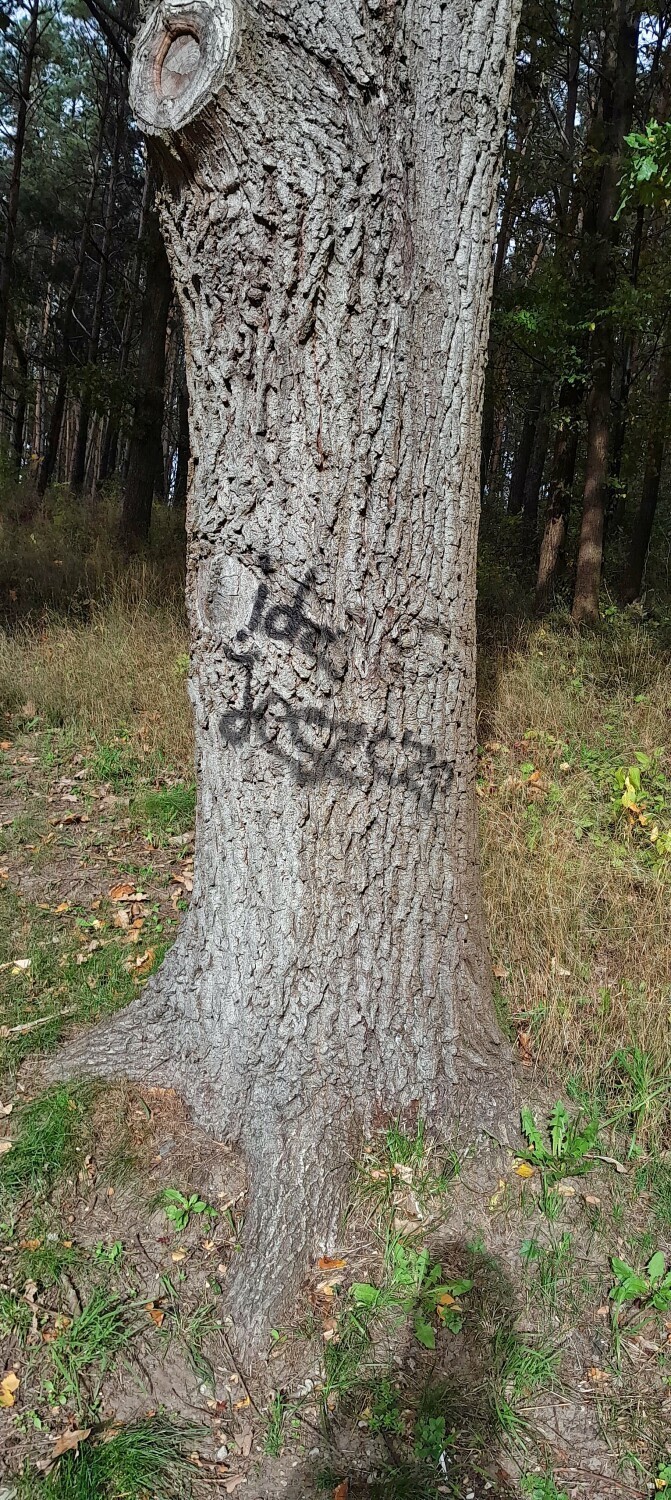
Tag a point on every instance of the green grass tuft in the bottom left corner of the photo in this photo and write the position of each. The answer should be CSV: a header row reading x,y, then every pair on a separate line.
x,y
148,1459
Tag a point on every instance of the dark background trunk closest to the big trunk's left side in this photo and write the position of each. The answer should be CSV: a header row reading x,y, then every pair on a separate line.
x,y
146,455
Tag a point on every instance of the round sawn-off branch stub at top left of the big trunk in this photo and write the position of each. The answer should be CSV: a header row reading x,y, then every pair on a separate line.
x,y
182,56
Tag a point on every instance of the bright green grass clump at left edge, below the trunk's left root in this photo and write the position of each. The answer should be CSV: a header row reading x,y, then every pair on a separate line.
x,y
52,1135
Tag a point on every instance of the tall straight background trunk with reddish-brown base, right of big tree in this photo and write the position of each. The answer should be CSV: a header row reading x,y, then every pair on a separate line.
x,y
618,89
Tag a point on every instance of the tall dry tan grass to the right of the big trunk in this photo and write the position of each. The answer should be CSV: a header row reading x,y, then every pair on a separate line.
x,y
577,908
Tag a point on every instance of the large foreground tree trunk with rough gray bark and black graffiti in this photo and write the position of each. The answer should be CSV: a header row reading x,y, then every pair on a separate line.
x,y
329,211
